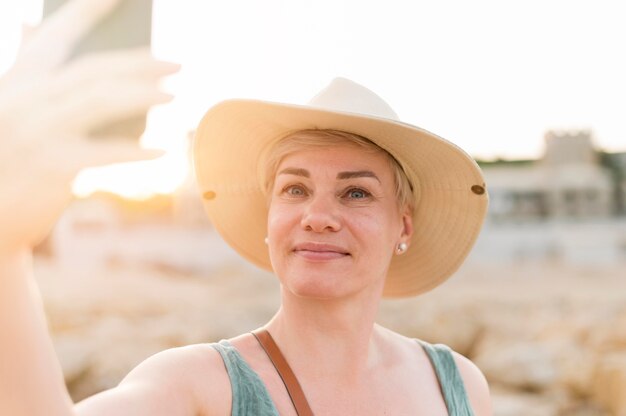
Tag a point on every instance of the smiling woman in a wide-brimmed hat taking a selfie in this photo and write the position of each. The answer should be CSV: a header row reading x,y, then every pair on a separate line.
x,y
343,201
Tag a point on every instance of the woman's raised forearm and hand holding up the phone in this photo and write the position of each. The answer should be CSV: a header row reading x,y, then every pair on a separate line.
x,y
47,109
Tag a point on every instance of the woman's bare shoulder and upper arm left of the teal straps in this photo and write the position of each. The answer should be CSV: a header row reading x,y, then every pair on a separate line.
x,y
188,380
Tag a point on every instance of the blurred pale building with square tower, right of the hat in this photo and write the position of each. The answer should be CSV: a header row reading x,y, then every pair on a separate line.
x,y
572,181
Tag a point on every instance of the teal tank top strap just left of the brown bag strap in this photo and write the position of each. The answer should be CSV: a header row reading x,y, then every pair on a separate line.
x,y
250,395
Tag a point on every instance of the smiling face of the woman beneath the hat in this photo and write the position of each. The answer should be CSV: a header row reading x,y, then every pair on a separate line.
x,y
334,221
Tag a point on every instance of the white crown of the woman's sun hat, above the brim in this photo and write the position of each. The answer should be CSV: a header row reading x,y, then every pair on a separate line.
x,y
348,96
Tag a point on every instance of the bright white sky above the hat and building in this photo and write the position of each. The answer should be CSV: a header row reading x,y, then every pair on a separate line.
x,y
489,75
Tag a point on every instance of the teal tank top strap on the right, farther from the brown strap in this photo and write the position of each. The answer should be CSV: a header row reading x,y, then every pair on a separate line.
x,y
449,378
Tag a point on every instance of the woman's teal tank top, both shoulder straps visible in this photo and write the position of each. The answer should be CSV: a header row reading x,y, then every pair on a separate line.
x,y
251,398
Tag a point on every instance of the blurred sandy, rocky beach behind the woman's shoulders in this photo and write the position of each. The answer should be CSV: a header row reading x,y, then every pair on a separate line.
x,y
551,339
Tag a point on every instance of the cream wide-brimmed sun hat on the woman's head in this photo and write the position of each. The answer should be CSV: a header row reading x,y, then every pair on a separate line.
x,y
450,197
